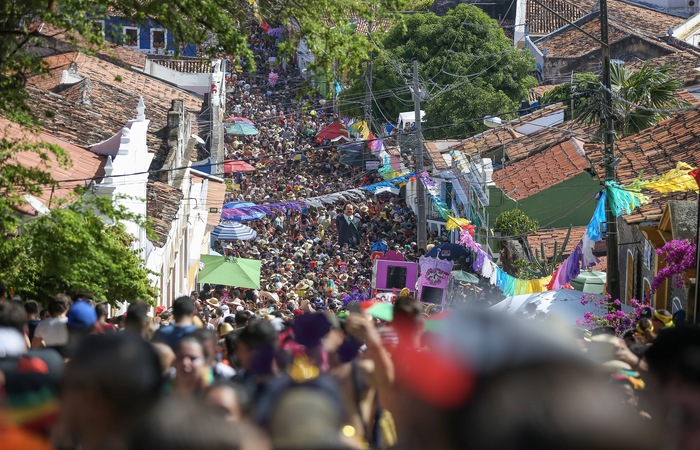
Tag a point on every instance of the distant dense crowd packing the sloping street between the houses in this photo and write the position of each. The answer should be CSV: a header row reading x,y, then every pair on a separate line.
x,y
306,259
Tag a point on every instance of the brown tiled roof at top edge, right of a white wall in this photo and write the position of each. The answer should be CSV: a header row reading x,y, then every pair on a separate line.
x,y
540,21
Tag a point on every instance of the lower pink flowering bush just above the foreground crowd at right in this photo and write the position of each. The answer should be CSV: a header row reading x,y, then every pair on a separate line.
x,y
610,314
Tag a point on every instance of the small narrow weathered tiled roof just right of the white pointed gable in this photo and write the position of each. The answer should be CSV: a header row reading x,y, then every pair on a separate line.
x,y
162,206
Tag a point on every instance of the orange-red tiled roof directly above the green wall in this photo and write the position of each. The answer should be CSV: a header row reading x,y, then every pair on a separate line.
x,y
541,171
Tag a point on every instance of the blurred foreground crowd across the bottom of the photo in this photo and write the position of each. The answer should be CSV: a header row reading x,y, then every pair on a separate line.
x,y
236,372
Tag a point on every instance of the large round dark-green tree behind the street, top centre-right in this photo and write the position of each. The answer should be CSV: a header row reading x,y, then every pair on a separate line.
x,y
465,61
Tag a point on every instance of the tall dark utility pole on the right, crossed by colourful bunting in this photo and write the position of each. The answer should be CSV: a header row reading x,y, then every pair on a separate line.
x,y
613,273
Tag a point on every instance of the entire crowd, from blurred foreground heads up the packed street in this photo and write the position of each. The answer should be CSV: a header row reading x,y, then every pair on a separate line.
x,y
301,364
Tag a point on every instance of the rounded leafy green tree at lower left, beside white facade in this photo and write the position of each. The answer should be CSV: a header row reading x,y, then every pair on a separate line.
x,y
83,247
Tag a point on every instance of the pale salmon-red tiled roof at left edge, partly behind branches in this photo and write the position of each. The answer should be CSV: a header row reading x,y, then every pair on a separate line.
x,y
83,163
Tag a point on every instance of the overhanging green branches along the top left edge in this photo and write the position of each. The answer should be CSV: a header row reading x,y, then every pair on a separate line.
x,y
221,24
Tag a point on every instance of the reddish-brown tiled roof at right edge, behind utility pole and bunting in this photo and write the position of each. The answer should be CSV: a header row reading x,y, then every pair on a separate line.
x,y
651,153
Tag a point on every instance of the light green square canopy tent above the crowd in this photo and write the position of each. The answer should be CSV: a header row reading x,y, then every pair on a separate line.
x,y
229,271
